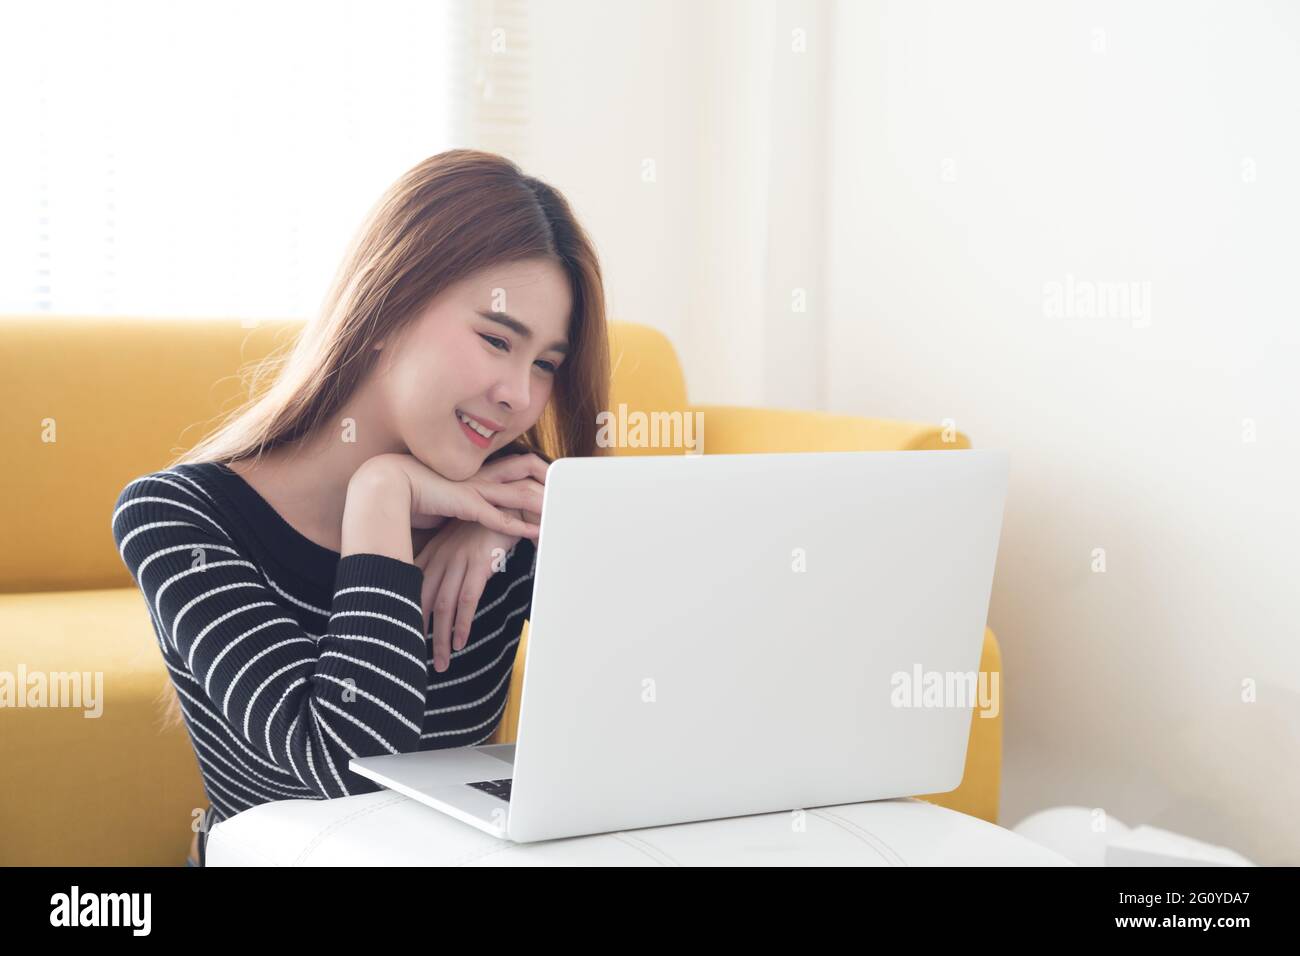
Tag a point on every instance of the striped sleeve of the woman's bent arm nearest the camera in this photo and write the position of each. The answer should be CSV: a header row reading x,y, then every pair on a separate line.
x,y
305,703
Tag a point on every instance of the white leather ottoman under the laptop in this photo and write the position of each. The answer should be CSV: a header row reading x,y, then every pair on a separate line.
x,y
389,829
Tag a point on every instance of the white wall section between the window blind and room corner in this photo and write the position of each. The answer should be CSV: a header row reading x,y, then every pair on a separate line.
x,y
731,113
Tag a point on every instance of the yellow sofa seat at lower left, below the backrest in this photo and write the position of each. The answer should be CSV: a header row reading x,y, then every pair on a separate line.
x,y
81,790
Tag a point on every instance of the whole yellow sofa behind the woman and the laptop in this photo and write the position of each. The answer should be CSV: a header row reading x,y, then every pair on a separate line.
x,y
89,404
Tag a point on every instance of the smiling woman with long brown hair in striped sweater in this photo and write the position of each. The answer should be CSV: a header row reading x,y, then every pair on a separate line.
x,y
344,566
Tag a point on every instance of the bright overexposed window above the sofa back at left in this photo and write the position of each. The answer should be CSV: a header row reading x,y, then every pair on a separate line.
x,y
213,159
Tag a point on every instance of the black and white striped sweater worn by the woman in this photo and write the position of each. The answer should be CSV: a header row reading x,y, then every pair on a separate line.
x,y
289,659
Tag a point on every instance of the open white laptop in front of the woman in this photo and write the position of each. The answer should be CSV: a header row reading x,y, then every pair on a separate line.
x,y
727,635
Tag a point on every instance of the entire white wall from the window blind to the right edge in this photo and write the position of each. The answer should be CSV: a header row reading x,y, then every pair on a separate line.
x,y
1116,157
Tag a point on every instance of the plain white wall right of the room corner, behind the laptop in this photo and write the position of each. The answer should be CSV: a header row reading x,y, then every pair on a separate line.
x,y
1117,155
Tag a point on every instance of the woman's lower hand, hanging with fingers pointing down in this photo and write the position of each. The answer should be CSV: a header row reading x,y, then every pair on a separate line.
x,y
457,565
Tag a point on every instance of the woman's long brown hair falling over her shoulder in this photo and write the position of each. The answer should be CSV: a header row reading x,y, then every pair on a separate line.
x,y
447,219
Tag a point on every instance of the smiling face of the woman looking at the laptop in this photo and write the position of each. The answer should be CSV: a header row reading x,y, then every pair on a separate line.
x,y
488,348
